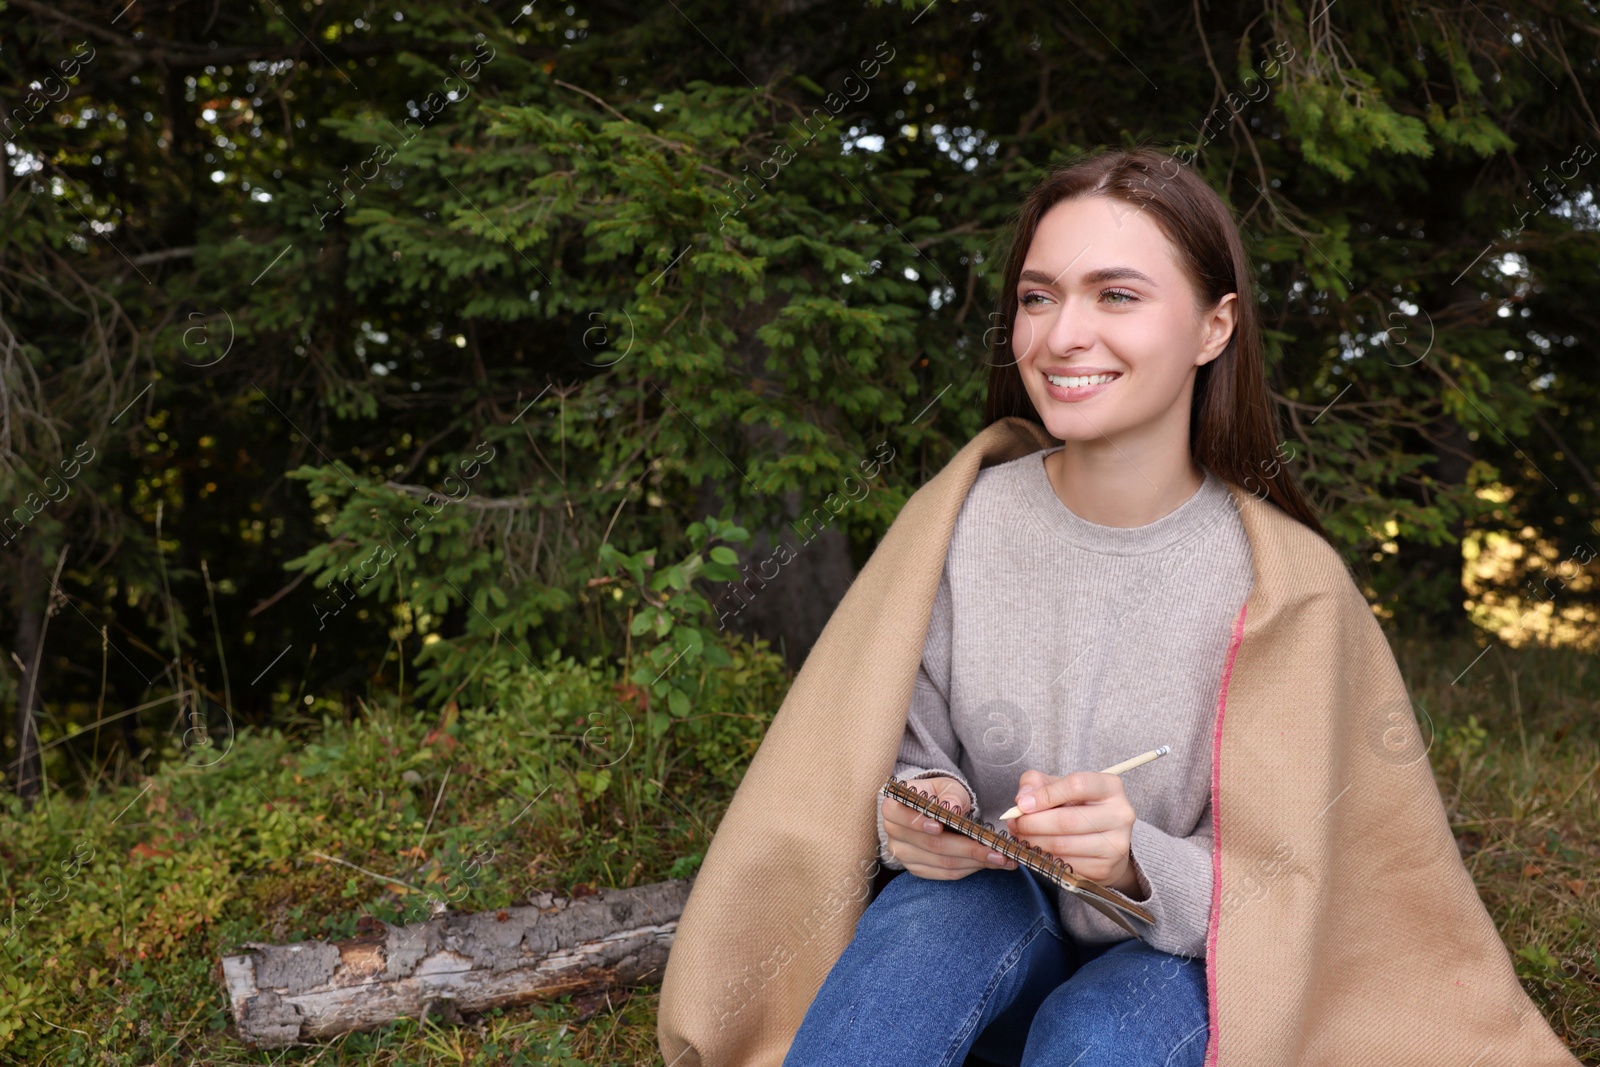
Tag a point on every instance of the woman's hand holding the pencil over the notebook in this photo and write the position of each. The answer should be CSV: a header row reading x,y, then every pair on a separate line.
x,y
1082,818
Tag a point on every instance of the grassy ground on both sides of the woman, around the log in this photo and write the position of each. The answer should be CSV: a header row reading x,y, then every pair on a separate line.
x,y
118,965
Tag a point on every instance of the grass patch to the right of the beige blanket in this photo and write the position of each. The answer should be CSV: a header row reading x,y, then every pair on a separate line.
x,y
1518,761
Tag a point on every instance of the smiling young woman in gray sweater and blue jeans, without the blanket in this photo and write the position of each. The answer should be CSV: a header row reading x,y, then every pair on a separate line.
x,y
1084,617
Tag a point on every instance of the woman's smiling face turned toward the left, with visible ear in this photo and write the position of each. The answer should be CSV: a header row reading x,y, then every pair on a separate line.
x,y
1106,334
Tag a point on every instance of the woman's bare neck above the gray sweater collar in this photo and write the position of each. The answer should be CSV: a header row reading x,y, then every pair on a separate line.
x,y
1105,486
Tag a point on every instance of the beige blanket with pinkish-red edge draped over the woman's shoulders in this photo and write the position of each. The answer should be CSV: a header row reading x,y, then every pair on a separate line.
x,y
1345,927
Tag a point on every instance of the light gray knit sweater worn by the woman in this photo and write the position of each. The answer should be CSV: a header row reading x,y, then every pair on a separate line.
x,y
1063,645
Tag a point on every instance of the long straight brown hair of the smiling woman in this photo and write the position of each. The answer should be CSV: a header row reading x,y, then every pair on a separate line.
x,y
1233,425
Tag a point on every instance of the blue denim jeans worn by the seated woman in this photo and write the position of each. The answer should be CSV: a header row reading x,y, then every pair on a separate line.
x,y
938,970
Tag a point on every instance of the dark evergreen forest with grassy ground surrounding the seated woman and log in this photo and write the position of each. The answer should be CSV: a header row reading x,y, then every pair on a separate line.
x,y
431,370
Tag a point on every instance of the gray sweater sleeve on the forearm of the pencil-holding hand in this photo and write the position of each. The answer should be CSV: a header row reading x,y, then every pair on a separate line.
x,y
1175,887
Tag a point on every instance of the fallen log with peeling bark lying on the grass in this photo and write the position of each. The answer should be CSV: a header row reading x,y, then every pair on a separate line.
x,y
313,991
